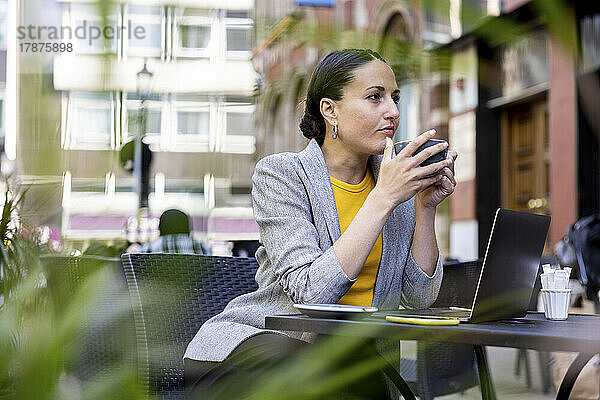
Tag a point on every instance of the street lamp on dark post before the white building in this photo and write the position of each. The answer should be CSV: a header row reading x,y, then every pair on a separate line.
x,y
143,84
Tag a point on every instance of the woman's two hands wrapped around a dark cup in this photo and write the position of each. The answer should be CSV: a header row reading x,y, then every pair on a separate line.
x,y
402,177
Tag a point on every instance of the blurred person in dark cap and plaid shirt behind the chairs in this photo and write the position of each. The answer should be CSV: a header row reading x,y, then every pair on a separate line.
x,y
175,236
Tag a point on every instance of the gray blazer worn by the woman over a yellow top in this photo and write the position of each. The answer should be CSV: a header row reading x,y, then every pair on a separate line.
x,y
298,224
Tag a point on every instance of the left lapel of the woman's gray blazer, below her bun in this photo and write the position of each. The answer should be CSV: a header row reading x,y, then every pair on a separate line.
x,y
313,162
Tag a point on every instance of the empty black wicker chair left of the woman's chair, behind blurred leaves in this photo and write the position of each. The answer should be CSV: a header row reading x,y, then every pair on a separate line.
x,y
106,338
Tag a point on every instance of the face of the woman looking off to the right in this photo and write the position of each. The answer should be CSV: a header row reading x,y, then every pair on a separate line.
x,y
367,114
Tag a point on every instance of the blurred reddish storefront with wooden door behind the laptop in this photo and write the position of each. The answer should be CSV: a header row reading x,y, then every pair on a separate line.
x,y
522,114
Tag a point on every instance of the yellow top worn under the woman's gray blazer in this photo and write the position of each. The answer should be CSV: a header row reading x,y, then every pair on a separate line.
x,y
349,199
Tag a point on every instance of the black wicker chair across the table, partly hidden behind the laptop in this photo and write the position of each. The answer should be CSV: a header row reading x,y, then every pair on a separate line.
x,y
445,368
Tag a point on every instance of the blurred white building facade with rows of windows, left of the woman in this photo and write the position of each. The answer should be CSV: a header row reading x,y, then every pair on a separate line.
x,y
76,109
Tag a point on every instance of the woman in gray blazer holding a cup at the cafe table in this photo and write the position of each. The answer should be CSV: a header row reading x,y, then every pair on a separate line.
x,y
338,222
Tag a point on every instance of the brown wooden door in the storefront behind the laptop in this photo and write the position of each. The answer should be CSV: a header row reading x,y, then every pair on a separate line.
x,y
525,159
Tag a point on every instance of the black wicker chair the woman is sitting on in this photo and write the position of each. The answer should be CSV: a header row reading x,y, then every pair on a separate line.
x,y
172,296
